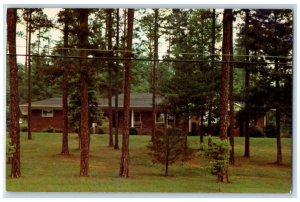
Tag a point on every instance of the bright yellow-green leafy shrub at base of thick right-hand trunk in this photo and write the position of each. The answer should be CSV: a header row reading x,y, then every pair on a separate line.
x,y
218,151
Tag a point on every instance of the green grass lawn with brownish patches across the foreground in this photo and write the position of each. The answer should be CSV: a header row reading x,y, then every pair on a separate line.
x,y
43,169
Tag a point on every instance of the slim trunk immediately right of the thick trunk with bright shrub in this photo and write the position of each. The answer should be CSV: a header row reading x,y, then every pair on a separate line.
x,y
231,101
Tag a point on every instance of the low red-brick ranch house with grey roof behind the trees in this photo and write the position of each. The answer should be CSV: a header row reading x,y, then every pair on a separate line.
x,y
48,113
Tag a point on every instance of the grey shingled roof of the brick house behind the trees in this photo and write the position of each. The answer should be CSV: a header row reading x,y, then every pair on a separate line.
x,y
137,100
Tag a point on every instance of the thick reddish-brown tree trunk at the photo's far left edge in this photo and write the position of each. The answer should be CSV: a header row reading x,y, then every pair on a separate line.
x,y
14,128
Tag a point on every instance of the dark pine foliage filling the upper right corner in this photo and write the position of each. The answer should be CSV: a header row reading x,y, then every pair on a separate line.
x,y
270,33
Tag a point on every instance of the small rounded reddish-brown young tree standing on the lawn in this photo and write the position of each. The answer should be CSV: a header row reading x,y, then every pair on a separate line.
x,y
167,147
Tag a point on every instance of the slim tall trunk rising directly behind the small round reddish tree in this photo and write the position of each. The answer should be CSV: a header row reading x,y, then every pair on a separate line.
x,y
154,74
